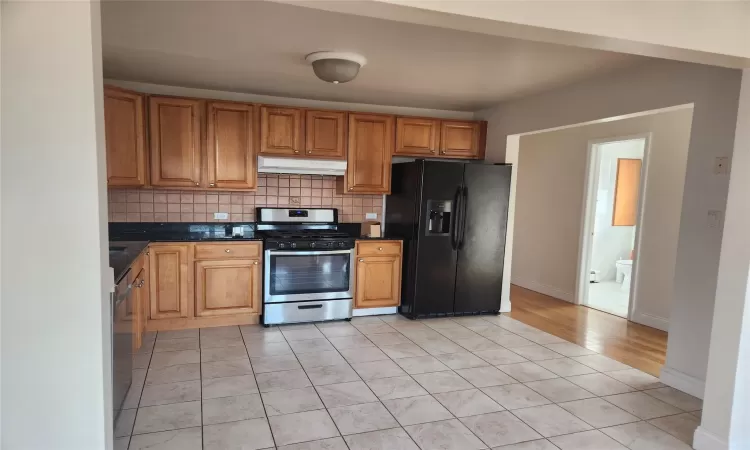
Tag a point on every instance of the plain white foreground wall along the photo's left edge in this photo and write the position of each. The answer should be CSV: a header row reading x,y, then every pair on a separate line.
x,y
56,392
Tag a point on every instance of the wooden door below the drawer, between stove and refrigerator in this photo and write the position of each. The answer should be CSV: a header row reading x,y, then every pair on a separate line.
x,y
378,281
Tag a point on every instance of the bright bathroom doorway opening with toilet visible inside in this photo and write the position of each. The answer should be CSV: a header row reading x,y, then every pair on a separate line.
x,y
612,213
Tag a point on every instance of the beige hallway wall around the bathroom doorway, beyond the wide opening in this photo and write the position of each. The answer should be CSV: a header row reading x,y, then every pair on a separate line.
x,y
551,176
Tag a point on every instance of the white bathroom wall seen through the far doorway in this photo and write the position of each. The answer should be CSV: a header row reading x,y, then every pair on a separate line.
x,y
611,243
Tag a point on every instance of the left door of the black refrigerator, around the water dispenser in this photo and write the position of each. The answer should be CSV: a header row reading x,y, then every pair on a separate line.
x,y
436,258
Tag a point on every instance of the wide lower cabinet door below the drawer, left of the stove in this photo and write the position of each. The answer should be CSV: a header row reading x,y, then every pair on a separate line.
x,y
227,287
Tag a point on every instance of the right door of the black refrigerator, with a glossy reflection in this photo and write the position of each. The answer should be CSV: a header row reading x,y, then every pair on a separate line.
x,y
479,271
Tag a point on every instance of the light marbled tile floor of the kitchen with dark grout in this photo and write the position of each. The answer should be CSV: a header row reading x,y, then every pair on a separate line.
x,y
390,383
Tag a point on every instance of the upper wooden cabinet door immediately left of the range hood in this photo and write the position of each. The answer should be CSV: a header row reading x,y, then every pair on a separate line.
x,y
231,153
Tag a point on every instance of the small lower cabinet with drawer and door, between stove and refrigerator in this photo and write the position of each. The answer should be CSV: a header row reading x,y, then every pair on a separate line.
x,y
378,276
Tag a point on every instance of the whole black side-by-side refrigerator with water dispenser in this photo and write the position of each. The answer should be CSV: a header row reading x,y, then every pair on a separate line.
x,y
452,218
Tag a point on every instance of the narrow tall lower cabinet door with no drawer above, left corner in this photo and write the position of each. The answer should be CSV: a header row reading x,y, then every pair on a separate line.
x,y
170,281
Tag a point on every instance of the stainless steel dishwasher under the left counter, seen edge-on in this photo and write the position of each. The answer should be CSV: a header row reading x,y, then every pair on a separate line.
x,y
122,342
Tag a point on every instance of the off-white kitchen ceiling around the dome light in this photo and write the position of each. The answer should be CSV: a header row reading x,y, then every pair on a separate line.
x,y
259,47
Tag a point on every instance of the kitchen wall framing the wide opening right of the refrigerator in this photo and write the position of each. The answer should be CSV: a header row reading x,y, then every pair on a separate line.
x,y
714,92
